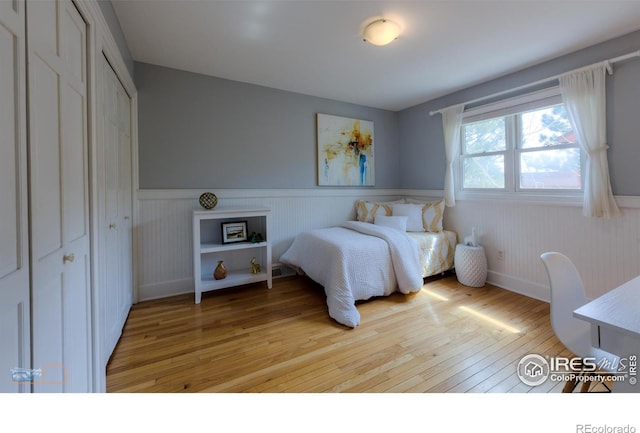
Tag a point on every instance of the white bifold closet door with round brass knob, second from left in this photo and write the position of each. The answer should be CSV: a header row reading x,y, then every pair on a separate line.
x,y
59,196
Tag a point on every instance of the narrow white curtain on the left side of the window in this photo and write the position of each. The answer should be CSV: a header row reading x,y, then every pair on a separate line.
x,y
451,123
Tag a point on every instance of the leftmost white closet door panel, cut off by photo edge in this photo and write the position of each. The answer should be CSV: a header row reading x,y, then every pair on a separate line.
x,y
14,252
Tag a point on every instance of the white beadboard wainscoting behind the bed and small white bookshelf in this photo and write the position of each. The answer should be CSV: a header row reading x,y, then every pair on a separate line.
x,y
164,234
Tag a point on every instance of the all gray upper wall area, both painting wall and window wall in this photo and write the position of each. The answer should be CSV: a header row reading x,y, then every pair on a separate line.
x,y
197,131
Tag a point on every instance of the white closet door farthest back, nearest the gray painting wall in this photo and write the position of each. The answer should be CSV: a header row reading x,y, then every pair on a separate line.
x,y
115,223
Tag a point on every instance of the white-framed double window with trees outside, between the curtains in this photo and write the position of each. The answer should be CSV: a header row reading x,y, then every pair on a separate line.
x,y
525,144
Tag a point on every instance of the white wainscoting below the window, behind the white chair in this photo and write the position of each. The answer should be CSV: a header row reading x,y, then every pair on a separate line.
x,y
606,252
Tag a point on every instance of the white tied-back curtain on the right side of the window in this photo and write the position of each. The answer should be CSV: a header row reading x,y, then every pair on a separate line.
x,y
584,96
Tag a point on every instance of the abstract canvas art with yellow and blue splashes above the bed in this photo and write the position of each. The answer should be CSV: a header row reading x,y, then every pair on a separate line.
x,y
345,151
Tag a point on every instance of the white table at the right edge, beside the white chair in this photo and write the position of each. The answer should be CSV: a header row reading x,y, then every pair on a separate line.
x,y
615,325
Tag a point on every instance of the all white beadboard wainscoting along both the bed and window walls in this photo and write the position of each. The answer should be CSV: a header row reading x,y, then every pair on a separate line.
x,y
606,252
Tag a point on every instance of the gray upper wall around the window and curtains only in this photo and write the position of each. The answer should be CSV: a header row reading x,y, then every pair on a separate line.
x,y
423,158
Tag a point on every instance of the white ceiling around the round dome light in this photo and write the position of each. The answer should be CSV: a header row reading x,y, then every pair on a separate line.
x,y
316,47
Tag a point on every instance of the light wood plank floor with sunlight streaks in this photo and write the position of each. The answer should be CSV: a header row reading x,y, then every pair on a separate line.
x,y
445,338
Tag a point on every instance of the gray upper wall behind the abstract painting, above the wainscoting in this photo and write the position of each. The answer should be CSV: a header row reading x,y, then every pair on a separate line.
x,y
197,131
